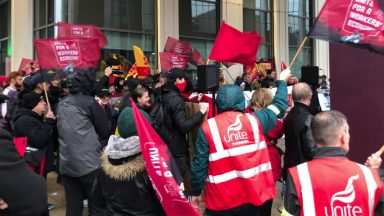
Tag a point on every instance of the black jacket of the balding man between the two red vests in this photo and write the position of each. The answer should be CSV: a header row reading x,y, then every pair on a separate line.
x,y
299,143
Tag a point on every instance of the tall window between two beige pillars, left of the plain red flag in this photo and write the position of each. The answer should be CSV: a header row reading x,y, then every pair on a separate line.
x,y
198,23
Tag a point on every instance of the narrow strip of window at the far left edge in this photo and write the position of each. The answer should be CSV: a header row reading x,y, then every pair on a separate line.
x,y
5,31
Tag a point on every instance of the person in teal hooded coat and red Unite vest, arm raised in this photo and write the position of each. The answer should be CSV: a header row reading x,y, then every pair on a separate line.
x,y
231,157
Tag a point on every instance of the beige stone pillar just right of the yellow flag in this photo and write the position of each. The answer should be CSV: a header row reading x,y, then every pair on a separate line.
x,y
167,22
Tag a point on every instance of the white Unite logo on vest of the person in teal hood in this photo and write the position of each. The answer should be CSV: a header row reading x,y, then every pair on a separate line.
x,y
235,135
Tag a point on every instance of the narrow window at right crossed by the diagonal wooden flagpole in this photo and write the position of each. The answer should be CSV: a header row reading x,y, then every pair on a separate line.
x,y
299,23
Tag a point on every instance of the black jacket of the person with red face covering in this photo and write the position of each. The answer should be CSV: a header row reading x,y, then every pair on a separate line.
x,y
177,121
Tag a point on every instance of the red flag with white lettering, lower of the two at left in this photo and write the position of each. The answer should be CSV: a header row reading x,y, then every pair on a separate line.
x,y
57,54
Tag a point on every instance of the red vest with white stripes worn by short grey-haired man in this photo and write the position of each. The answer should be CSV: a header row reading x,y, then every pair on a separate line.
x,y
336,186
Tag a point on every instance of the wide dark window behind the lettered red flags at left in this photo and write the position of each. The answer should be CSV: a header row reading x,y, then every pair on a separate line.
x,y
124,22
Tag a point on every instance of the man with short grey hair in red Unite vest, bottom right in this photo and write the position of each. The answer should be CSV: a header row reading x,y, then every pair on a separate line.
x,y
331,184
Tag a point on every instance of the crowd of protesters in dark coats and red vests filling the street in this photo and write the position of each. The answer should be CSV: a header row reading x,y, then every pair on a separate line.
x,y
83,128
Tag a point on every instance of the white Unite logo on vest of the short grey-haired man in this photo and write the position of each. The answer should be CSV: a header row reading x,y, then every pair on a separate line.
x,y
344,198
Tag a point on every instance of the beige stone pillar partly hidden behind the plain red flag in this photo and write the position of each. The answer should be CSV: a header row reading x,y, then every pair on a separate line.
x,y
232,13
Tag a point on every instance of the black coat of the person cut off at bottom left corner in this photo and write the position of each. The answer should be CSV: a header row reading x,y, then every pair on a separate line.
x,y
24,191
